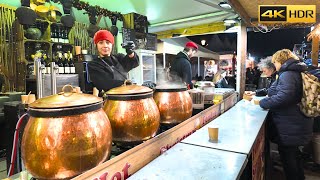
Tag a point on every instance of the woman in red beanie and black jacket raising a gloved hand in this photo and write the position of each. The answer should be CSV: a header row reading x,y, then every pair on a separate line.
x,y
108,70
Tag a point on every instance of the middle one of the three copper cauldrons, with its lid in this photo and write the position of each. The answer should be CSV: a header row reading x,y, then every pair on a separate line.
x,y
133,114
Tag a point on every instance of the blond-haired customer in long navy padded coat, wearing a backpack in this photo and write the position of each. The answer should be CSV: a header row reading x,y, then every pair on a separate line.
x,y
288,127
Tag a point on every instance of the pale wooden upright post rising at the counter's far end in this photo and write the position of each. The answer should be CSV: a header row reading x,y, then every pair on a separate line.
x,y
241,59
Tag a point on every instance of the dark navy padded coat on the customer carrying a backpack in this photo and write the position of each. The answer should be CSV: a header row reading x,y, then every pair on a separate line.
x,y
288,126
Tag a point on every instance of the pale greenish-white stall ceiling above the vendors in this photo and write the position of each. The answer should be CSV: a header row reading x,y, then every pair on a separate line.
x,y
171,14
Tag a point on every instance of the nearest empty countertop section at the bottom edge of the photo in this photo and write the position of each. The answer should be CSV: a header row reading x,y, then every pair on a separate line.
x,y
185,161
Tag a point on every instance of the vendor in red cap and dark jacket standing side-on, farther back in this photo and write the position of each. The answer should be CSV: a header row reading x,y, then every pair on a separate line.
x,y
180,69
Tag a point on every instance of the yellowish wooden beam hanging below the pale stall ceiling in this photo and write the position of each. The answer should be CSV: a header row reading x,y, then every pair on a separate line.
x,y
193,30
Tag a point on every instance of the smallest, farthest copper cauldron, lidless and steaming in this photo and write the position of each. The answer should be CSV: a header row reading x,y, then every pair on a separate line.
x,y
174,103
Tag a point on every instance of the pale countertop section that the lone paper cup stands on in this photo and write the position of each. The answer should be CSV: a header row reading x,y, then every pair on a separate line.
x,y
238,129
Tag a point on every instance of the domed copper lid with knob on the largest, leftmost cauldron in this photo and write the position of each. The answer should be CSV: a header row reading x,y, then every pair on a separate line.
x,y
65,99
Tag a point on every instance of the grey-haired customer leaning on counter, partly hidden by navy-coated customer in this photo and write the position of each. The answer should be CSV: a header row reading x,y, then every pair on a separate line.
x,y
269,70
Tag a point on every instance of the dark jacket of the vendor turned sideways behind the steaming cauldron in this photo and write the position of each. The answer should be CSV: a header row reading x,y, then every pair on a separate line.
x,y
181,67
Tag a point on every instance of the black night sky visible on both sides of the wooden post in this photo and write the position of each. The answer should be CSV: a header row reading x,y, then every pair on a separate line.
x,y
259,44
